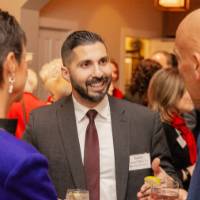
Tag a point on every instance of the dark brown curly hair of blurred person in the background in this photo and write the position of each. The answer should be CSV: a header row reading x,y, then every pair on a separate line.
x,y
137,91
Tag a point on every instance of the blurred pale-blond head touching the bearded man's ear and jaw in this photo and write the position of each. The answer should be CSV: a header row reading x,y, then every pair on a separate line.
x,y
53,81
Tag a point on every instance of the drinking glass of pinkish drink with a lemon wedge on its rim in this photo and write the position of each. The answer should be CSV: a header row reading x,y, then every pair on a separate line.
x,y
167,190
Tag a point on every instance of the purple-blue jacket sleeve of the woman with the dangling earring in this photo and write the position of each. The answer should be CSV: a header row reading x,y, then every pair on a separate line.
x,y
30,180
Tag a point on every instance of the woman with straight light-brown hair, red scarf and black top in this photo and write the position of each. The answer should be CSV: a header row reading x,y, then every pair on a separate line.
x,y
167,94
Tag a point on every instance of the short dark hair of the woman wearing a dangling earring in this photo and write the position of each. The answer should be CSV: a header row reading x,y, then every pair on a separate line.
x,y
12,38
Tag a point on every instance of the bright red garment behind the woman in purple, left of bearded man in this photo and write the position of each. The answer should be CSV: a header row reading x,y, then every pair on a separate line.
x,y
21,110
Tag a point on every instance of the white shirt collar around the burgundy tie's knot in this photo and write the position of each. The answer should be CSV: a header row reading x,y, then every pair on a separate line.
x,y
103,109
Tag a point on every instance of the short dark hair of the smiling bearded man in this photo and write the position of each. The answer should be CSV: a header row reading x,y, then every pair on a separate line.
x,y
75,39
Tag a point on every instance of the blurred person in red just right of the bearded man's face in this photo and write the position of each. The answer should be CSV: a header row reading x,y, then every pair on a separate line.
x,y
113,90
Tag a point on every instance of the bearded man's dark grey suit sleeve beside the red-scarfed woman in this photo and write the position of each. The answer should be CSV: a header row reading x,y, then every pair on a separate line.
x,y
160,149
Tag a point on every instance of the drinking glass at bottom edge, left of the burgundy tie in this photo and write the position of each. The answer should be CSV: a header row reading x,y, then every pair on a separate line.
x,y
77,194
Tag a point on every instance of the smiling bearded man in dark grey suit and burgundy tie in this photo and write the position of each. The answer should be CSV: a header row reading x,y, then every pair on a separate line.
x,y
94,141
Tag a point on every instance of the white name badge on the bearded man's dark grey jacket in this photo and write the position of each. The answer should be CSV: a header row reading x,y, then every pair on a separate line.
x,y
139,161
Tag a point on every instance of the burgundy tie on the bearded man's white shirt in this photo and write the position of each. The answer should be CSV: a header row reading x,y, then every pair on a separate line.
x,y
91,157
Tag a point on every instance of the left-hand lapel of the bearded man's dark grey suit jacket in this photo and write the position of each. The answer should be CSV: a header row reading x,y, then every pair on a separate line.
x,y
69,135
